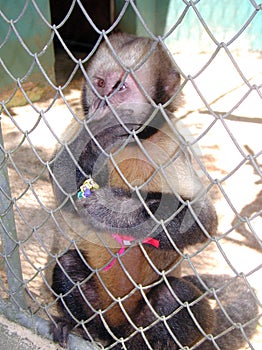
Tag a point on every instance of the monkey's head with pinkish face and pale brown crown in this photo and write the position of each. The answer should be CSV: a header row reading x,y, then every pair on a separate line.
x,y
129,71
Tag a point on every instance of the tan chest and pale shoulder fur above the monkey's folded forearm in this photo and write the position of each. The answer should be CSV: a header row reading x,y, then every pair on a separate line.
x,y
159,167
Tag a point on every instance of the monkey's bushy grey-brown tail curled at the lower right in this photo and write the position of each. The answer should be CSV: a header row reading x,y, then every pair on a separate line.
x,y
239,306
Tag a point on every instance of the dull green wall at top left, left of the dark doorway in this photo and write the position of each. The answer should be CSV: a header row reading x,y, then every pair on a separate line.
x,y
35,35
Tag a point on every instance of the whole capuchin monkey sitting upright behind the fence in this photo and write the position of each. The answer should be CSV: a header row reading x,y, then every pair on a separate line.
x,y
129,176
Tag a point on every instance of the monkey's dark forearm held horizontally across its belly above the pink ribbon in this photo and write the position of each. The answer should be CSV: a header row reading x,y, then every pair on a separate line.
x,y
161,216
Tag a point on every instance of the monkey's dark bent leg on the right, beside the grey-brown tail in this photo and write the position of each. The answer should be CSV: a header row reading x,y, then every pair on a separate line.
x,y
171,322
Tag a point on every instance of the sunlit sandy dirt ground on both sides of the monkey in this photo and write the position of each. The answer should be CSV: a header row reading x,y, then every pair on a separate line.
x,y
230,148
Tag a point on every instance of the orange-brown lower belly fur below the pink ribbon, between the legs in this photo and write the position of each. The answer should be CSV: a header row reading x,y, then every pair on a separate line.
x,y
117,281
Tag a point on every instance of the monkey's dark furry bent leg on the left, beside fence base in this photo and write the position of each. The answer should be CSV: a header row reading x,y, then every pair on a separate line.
x,y
71,280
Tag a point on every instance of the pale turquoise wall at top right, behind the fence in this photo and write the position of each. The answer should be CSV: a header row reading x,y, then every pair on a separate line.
x,y
224,18
